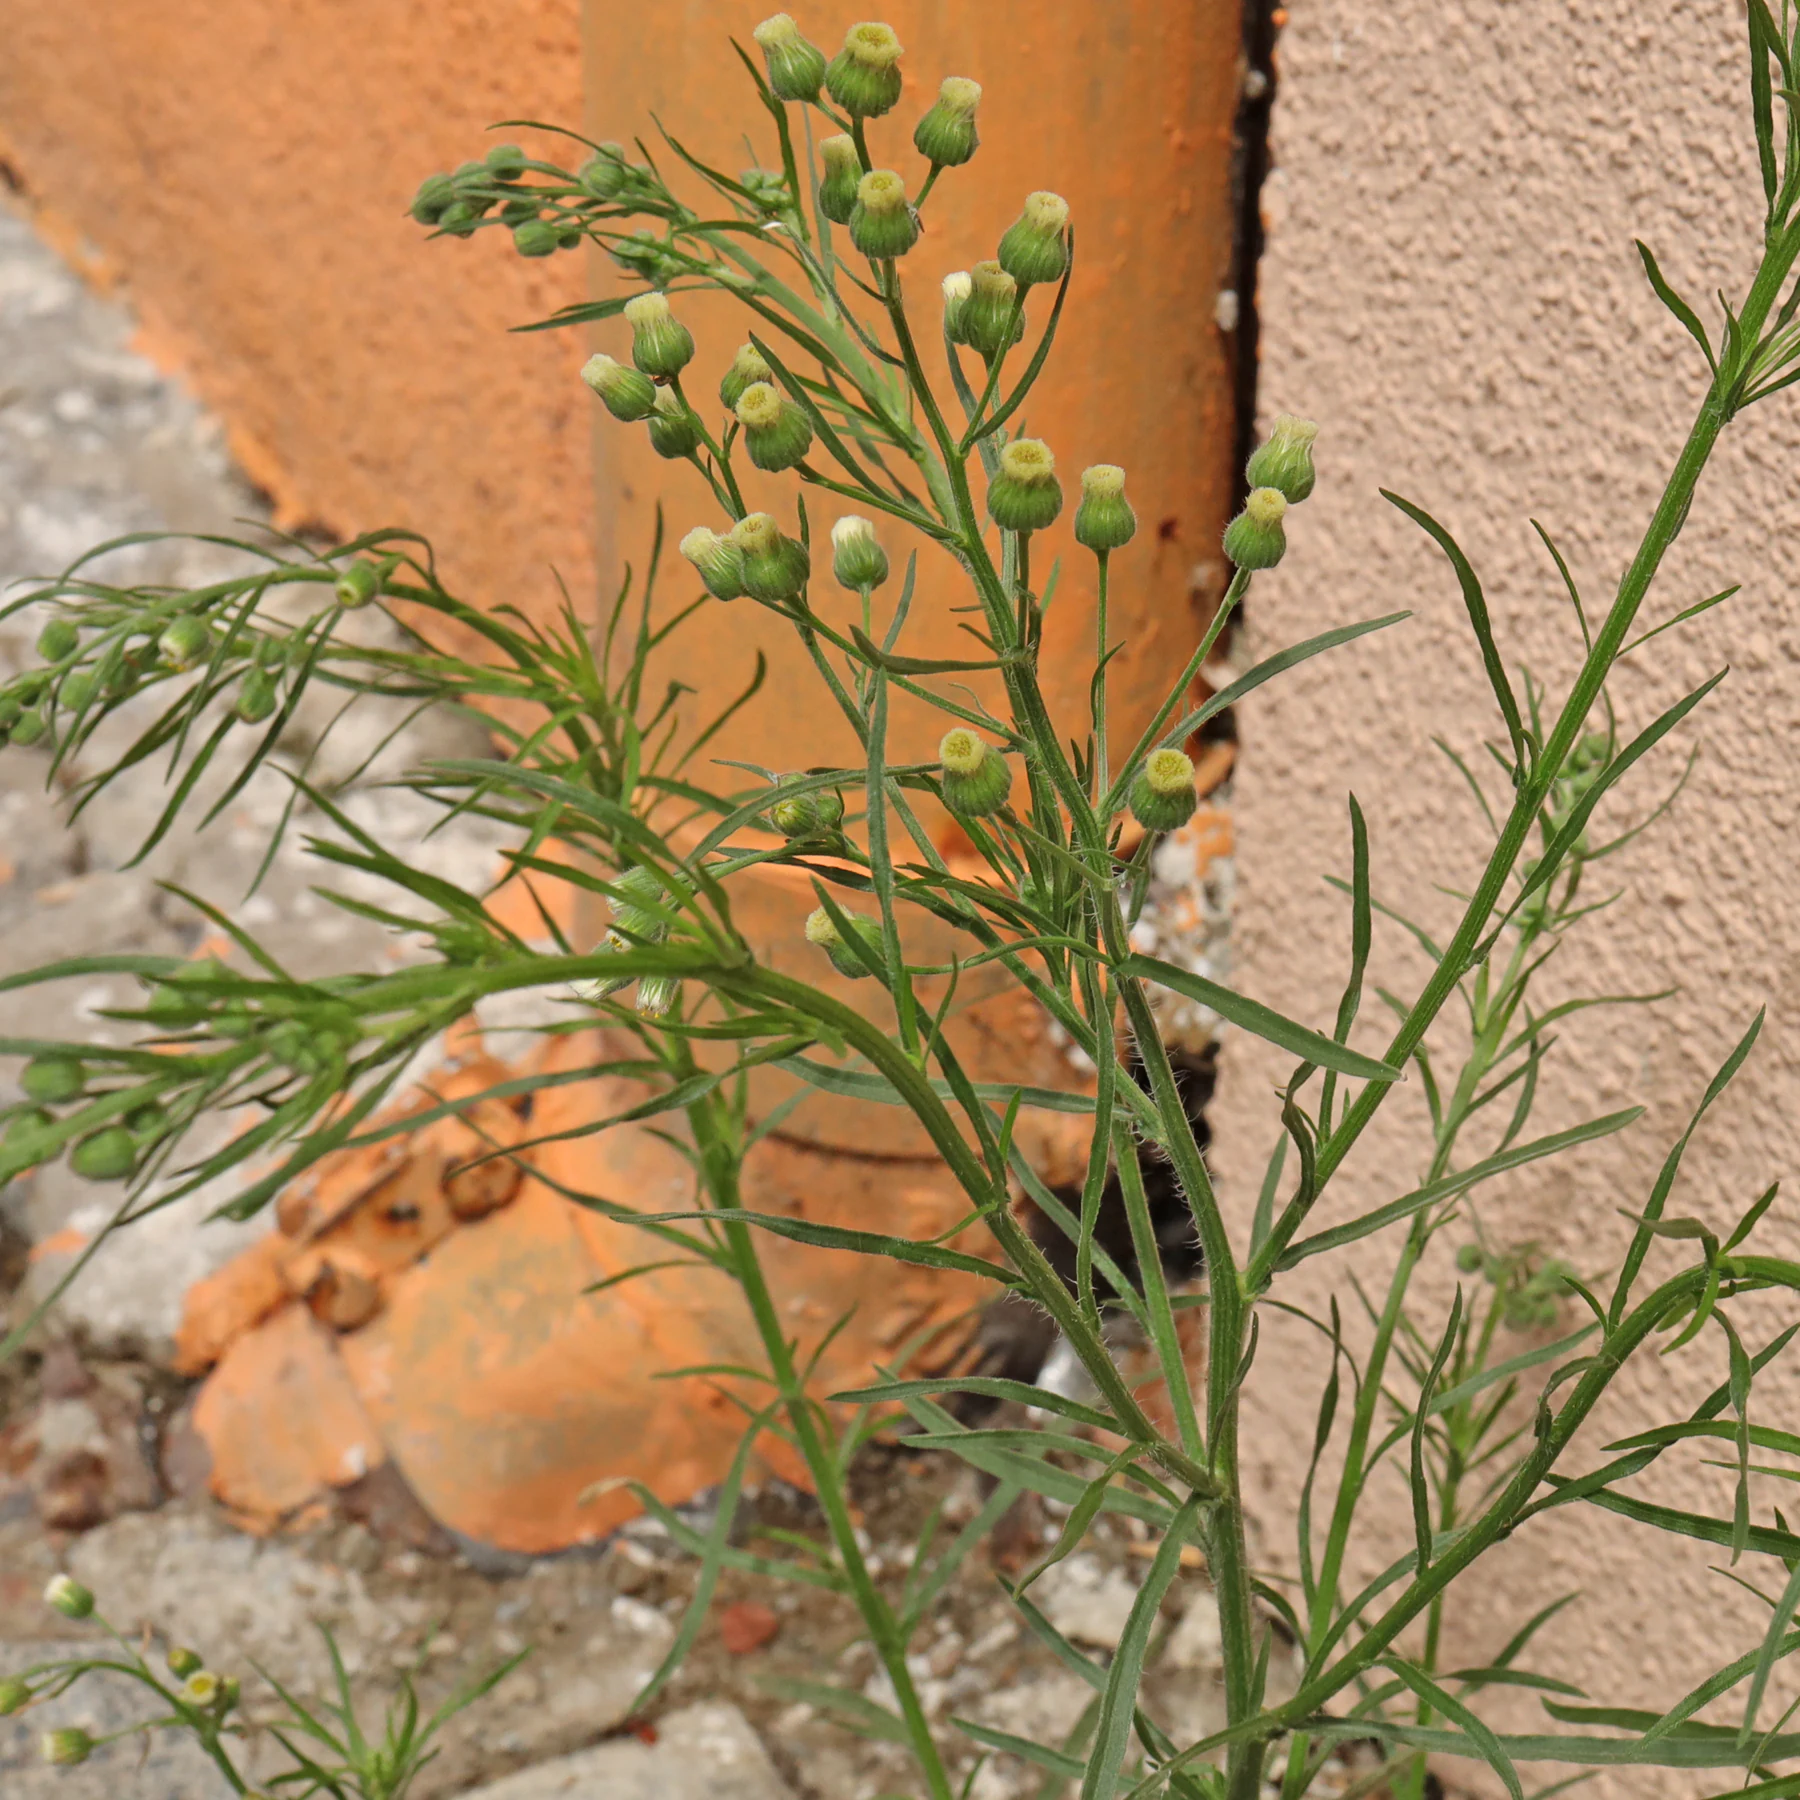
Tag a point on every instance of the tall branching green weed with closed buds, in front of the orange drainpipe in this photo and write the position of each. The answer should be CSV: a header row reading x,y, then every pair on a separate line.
x,y
602,782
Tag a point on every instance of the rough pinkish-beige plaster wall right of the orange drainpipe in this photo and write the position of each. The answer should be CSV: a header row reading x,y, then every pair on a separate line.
x,y
1452,291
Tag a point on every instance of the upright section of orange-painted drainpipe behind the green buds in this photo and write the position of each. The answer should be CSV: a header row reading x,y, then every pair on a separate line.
x,y
1124,109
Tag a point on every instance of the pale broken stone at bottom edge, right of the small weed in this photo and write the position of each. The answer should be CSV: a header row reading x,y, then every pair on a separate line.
x,y
705,1752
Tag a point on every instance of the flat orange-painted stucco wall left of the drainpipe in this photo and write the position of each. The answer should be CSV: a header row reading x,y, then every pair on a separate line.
x,y
246,168
